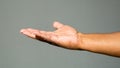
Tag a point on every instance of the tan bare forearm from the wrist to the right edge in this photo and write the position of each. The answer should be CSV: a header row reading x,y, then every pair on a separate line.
x,y
101,43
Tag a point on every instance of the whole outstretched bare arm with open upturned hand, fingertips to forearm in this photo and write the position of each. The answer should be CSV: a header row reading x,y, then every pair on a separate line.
x,y
67,37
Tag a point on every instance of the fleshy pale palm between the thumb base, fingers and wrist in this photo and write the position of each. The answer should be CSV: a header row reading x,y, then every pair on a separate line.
x,y
66,36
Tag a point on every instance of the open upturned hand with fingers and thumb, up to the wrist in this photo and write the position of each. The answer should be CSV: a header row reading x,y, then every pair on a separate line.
x,y
64,36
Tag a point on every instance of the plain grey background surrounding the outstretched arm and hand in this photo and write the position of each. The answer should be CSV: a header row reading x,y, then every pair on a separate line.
x,y
87,16
